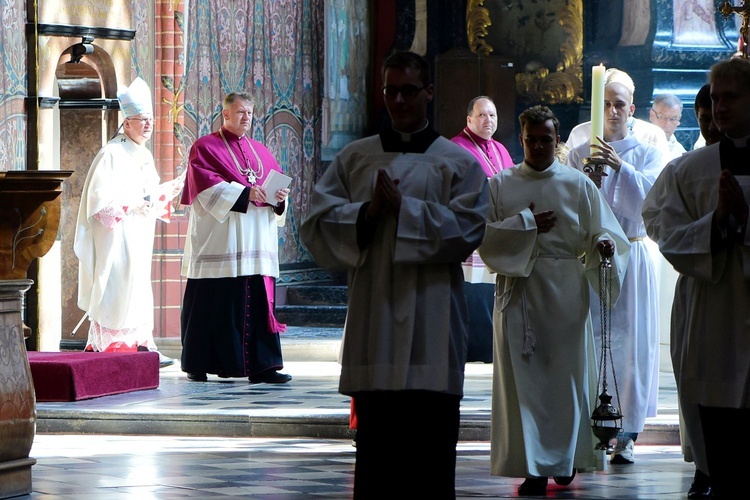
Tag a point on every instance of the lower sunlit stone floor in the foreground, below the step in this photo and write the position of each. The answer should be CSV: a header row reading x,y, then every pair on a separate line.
x,y
93,467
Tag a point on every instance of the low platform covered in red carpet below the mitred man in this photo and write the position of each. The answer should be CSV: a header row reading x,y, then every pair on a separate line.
x,y
73,376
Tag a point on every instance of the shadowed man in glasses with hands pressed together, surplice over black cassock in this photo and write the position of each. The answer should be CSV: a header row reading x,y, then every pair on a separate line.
x,y
400,211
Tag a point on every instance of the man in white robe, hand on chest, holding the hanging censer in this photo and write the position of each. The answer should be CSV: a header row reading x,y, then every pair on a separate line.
x,y
544,217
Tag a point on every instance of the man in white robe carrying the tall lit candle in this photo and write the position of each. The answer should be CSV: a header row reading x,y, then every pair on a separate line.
x,y
630,169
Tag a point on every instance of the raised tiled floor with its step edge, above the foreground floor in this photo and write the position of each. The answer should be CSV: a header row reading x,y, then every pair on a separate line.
x,y
309,406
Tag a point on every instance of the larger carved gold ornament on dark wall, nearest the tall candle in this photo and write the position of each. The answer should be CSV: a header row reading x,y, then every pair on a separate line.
x,y
565,84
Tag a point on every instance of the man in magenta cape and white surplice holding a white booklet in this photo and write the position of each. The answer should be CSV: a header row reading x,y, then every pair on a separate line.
x,y
228,327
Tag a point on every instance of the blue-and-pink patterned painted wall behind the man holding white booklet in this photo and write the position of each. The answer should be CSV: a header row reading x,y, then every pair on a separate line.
x,y
275,51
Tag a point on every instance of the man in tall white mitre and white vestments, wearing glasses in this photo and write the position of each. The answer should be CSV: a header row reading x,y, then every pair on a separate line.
x,y
121,200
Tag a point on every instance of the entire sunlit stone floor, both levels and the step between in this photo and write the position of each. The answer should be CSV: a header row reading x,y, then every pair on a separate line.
x,y
227,438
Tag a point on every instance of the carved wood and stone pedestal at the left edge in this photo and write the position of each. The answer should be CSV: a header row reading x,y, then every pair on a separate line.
x,y
29,219
